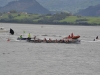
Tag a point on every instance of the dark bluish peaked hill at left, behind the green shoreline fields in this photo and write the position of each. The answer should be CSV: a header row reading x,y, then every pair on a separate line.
x,y
29,6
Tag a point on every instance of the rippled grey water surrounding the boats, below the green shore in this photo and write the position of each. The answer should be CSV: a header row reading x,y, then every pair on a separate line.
x,y
23,58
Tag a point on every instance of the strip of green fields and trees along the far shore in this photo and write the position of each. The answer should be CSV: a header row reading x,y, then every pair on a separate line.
x,y
58,18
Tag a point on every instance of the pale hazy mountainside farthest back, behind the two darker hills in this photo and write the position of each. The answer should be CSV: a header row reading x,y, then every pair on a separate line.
x,y
62,5
